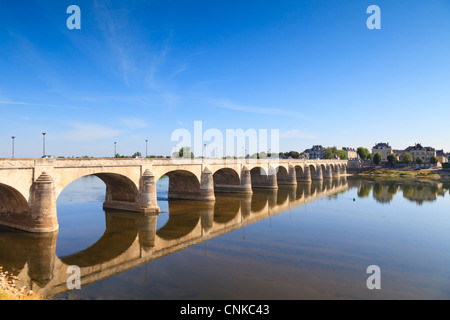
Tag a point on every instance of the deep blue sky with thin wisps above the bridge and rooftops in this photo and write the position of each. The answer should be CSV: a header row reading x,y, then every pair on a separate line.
x,y
139,70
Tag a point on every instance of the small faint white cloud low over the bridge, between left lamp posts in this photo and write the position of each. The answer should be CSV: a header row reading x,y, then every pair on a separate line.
x,y
90,132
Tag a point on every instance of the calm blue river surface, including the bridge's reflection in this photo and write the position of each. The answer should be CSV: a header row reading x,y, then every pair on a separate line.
x,y
312,241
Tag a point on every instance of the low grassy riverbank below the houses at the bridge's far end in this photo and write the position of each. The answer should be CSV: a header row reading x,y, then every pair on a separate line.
x,y
435,174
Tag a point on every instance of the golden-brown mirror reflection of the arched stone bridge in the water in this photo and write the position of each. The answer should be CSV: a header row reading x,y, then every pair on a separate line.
x,y
131,240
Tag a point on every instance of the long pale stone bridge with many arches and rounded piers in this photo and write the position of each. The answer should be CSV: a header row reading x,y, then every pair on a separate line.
x,y
29,188
